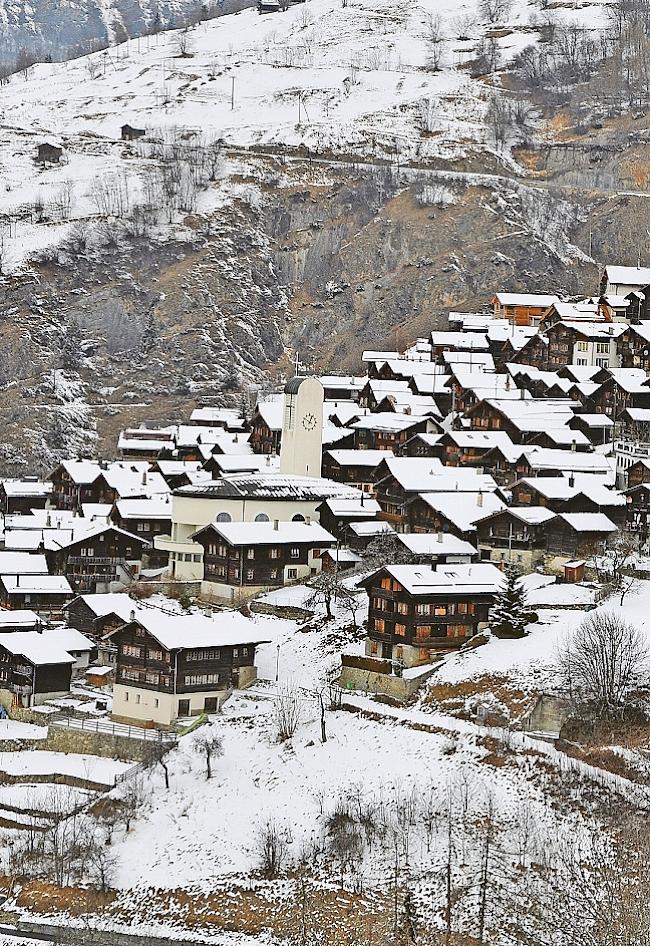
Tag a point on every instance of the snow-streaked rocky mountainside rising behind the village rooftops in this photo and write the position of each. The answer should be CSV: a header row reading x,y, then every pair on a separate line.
x,y
315,180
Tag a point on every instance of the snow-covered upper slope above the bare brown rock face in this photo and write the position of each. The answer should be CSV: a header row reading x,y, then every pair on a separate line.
x,y
355,78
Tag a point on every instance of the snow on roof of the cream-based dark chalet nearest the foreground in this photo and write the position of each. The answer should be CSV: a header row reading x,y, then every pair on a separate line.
x,y
187,631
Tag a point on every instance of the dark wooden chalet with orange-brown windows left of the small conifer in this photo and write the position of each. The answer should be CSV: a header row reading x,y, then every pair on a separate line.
x,y
416,611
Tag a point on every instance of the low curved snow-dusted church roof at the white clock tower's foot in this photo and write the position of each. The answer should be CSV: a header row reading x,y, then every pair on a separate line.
x,y
269,486
